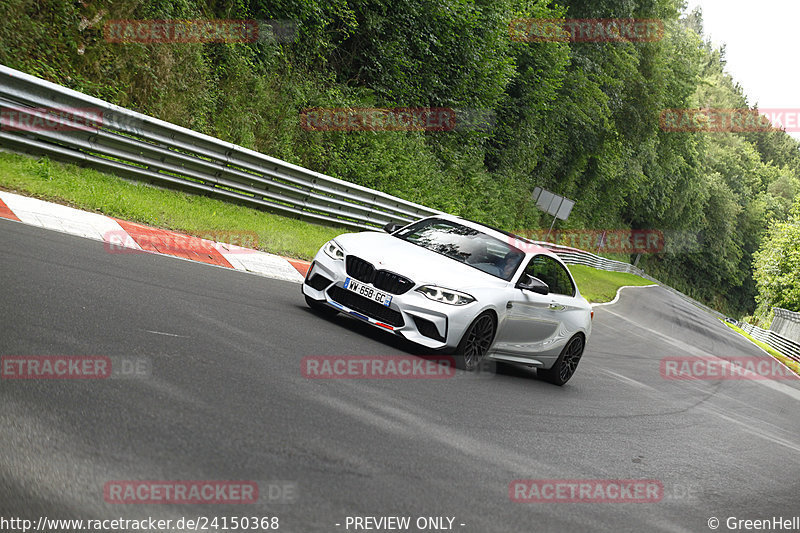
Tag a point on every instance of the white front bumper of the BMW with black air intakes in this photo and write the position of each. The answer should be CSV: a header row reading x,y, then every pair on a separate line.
x,y
411,315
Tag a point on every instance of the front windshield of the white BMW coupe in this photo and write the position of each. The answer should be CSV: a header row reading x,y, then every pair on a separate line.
x,y
465,245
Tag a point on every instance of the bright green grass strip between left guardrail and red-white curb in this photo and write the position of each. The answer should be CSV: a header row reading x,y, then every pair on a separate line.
x,y
91,190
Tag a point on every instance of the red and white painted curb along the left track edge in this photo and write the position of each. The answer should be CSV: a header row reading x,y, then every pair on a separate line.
x,y
121,236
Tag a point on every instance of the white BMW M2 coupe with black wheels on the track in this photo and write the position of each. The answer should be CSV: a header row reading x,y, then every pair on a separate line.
x,y
453,285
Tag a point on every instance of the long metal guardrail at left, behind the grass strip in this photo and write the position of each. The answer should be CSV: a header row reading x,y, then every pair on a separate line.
x,y
127,143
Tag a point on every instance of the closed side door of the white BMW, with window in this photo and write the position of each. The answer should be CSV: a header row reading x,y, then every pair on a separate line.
x,y
533,321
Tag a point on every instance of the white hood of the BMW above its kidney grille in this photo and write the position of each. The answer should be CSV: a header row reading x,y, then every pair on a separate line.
x,y
415,262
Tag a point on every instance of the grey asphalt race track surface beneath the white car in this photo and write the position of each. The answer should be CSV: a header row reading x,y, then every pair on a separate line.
x,y
225,400
